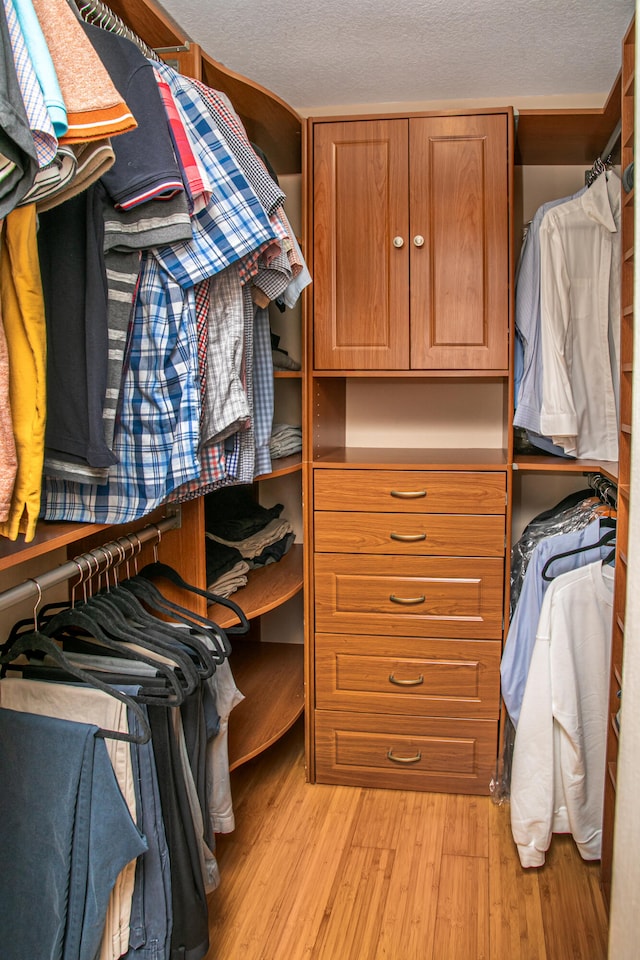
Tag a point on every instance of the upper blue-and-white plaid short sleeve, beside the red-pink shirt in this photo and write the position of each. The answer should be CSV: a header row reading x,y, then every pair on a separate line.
x,y
233,223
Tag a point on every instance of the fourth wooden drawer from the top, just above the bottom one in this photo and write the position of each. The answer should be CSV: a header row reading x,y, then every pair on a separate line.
x,y
401,675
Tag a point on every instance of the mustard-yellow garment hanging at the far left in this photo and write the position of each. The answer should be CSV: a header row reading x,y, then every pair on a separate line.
x,y
22,305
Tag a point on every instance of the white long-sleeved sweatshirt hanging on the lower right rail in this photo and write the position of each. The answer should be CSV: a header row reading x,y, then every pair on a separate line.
x,y
559,757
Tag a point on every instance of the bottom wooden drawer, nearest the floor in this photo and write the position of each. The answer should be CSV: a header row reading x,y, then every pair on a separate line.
x,y
405,753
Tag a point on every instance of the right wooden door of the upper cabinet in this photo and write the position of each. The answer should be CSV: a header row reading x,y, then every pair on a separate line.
x,y
460,274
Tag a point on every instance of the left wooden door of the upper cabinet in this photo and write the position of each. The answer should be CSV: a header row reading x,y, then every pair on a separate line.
x,y
360,293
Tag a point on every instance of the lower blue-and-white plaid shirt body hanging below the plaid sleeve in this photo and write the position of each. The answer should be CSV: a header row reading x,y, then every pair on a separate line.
x,y
157,430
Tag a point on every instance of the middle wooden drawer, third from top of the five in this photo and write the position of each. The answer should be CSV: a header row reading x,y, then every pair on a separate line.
x,y
409,596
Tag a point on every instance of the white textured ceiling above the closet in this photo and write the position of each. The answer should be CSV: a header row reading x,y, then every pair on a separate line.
x,y
325,52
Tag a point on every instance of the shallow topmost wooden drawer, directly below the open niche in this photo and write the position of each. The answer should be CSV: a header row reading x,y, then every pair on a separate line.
x,y
410,491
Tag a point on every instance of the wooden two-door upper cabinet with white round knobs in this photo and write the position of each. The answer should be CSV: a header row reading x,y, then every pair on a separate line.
x,y
410,243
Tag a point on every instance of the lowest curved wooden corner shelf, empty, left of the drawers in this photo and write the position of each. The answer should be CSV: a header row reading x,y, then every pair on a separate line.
x,y
270,675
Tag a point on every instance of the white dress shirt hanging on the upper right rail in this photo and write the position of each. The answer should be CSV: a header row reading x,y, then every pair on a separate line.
x,y
580,321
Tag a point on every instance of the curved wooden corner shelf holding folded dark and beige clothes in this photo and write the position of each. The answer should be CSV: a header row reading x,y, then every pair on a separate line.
x,y
268,587
